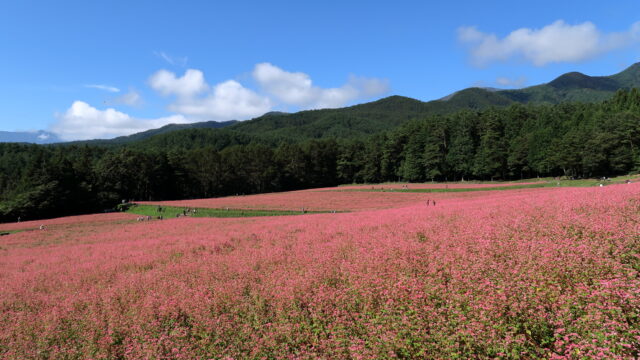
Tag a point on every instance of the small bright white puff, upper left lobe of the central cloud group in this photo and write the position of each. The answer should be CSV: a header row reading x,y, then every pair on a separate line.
x,y
190,84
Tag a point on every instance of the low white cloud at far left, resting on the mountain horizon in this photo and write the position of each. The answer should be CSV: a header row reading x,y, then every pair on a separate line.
x,y
83,121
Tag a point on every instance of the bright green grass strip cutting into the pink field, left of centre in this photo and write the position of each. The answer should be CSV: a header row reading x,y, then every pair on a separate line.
x,y
172,212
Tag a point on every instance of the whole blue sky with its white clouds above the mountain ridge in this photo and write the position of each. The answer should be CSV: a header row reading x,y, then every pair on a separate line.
x,y
88,69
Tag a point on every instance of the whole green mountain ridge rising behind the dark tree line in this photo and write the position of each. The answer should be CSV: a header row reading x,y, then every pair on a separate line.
x,y
380,115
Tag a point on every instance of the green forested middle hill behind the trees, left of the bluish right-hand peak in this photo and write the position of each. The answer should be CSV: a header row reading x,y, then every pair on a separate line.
x,y
350,122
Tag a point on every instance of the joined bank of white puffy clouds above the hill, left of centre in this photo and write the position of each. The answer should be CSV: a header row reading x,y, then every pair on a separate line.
x,y
229,99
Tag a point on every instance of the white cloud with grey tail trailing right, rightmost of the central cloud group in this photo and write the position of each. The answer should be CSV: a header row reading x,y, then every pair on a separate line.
x,y
296,88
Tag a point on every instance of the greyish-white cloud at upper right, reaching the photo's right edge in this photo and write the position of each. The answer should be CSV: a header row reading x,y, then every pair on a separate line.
x,y
557,42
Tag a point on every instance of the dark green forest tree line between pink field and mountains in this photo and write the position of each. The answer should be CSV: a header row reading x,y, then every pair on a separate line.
x,y
520,141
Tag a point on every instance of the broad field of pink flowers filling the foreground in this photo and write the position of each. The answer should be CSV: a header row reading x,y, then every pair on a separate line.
x,y
534,273
